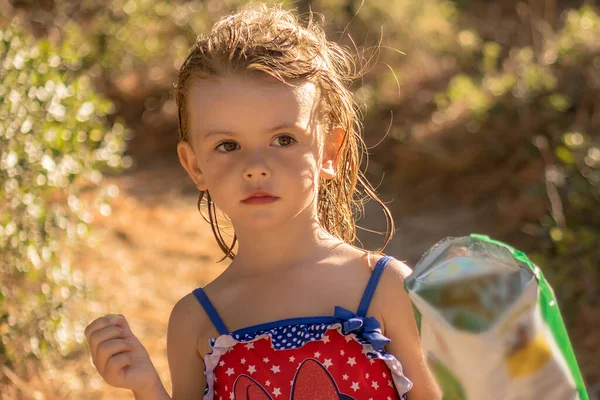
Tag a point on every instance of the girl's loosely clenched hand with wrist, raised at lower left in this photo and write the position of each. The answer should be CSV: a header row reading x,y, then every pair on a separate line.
x,y
120,358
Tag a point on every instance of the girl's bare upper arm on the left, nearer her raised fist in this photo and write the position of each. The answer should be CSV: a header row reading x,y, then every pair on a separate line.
x,y
186,324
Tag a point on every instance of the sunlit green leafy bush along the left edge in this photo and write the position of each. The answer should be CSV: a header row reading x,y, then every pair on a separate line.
x,y
54,146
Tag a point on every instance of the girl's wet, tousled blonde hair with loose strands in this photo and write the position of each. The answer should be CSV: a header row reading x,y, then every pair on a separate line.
x,y
272,41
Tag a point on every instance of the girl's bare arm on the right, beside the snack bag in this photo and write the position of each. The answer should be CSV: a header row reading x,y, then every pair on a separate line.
x,y
400,326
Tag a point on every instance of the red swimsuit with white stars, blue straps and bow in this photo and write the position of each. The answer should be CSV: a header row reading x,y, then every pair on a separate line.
x,y
333,357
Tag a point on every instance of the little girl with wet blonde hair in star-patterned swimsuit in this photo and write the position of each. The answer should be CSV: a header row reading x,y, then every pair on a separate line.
x,y
270,135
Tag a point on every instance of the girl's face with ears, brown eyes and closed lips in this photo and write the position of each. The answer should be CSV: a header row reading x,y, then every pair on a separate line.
x,y
255,144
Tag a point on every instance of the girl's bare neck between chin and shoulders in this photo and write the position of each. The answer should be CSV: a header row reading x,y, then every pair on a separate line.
x,y
297,243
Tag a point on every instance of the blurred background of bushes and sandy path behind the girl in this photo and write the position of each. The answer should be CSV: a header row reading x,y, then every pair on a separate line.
x,y
480,117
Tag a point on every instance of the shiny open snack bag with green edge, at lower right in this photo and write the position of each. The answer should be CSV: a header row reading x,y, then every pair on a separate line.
x,y
490,325
